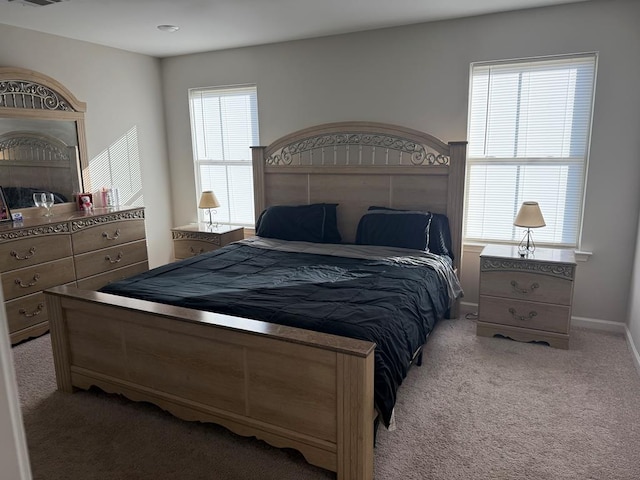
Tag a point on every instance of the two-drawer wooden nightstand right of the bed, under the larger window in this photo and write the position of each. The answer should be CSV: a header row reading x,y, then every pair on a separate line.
x,y
526,298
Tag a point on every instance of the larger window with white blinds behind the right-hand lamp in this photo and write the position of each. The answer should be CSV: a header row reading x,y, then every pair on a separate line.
x,y
529,129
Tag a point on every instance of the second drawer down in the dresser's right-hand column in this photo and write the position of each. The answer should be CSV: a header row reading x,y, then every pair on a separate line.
x,y
107,259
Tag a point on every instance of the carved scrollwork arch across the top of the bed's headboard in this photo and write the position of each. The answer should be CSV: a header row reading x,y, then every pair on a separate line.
x,y
418,153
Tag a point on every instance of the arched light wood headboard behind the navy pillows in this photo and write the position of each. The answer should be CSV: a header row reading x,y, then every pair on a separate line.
x,y
359,164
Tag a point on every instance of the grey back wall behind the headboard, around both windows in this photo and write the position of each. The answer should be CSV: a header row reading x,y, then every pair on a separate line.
x,y
418,76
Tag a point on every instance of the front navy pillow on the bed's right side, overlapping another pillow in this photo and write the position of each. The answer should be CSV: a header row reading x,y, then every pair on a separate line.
x,y
394,229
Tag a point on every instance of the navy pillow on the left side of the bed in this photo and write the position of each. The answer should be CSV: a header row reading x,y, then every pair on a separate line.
x,y
304,223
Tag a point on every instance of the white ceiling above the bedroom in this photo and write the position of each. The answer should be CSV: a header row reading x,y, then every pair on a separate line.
x,y
219,24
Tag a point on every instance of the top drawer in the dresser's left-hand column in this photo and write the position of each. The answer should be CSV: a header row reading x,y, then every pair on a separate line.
x,y
32,250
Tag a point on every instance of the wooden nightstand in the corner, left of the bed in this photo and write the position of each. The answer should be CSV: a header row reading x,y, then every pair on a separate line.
x,y
196,238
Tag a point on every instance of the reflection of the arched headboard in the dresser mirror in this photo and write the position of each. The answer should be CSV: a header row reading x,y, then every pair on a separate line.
x,y
33,147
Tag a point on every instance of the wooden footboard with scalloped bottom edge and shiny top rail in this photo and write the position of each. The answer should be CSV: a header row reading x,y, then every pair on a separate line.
x,y
289,387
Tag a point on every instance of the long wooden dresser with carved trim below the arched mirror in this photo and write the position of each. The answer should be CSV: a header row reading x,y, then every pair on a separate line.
x,y
87,250
